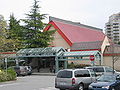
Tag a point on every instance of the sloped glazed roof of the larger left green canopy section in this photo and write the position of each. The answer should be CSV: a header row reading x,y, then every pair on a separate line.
x,y
40,52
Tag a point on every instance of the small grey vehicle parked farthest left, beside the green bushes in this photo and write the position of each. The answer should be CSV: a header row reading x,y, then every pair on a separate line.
x,y
20,70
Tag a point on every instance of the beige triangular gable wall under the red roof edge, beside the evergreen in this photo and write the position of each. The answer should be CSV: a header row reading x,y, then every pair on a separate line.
x,y
58,40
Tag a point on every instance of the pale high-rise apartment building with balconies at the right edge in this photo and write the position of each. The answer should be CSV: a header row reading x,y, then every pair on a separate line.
x,y
112,28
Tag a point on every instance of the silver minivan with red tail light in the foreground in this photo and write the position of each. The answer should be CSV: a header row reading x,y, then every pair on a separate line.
x,y
77,79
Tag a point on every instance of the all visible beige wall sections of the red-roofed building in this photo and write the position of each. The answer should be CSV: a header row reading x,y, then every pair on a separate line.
x,y
60,42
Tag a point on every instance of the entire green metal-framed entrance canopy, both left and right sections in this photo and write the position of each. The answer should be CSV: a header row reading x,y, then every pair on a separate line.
x,y
59,53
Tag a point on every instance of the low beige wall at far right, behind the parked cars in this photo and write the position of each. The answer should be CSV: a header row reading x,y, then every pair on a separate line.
x,y
108,62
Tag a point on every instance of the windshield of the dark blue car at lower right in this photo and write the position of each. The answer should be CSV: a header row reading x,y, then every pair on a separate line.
x,y
107,78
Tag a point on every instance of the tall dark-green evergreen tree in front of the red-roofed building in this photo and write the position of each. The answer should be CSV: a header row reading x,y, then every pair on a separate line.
x,y
33,35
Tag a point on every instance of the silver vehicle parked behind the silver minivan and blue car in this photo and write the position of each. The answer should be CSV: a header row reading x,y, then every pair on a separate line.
x,y
99,70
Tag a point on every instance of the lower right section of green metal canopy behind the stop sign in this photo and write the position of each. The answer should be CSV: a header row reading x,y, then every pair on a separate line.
x,y
79,55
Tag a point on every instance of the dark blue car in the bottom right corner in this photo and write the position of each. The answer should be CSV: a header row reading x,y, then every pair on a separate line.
x,y
106,82
